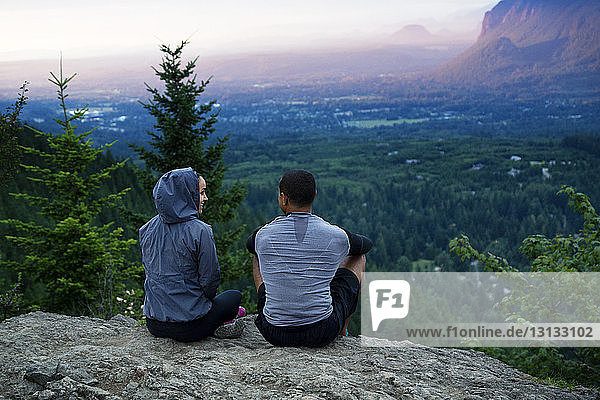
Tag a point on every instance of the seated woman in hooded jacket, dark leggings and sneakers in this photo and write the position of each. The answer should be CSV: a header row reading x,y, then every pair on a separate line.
x,y
181,266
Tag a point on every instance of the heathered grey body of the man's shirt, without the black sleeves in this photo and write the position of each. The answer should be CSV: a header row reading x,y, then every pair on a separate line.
x,y
299,254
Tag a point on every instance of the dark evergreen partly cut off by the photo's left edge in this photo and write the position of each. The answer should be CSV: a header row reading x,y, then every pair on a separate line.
x,y
9,128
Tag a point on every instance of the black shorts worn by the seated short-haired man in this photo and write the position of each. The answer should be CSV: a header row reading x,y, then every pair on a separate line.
x,y
345,289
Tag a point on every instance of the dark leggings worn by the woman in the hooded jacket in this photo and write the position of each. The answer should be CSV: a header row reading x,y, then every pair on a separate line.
x,y
224,308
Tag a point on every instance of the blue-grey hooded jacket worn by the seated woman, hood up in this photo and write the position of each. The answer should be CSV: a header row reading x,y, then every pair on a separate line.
x,y
178,252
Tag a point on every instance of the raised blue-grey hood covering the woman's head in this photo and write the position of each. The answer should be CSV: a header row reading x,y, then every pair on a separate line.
x,y
177,195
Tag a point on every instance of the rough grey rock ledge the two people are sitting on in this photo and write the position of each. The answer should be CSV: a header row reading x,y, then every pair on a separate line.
x,y
49,356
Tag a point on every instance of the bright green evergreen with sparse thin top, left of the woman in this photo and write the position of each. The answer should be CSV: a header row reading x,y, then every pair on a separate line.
x,y
82,266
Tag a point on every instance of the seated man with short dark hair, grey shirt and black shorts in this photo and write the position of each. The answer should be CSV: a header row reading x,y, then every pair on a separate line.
x,y
307,271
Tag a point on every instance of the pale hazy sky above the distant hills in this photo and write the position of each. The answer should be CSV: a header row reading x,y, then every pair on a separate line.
x,y
34,29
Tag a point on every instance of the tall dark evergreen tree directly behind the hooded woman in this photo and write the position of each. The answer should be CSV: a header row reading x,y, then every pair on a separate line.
x,y
182,127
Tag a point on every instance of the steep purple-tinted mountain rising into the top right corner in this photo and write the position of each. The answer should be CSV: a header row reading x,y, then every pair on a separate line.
x,y
550,43
